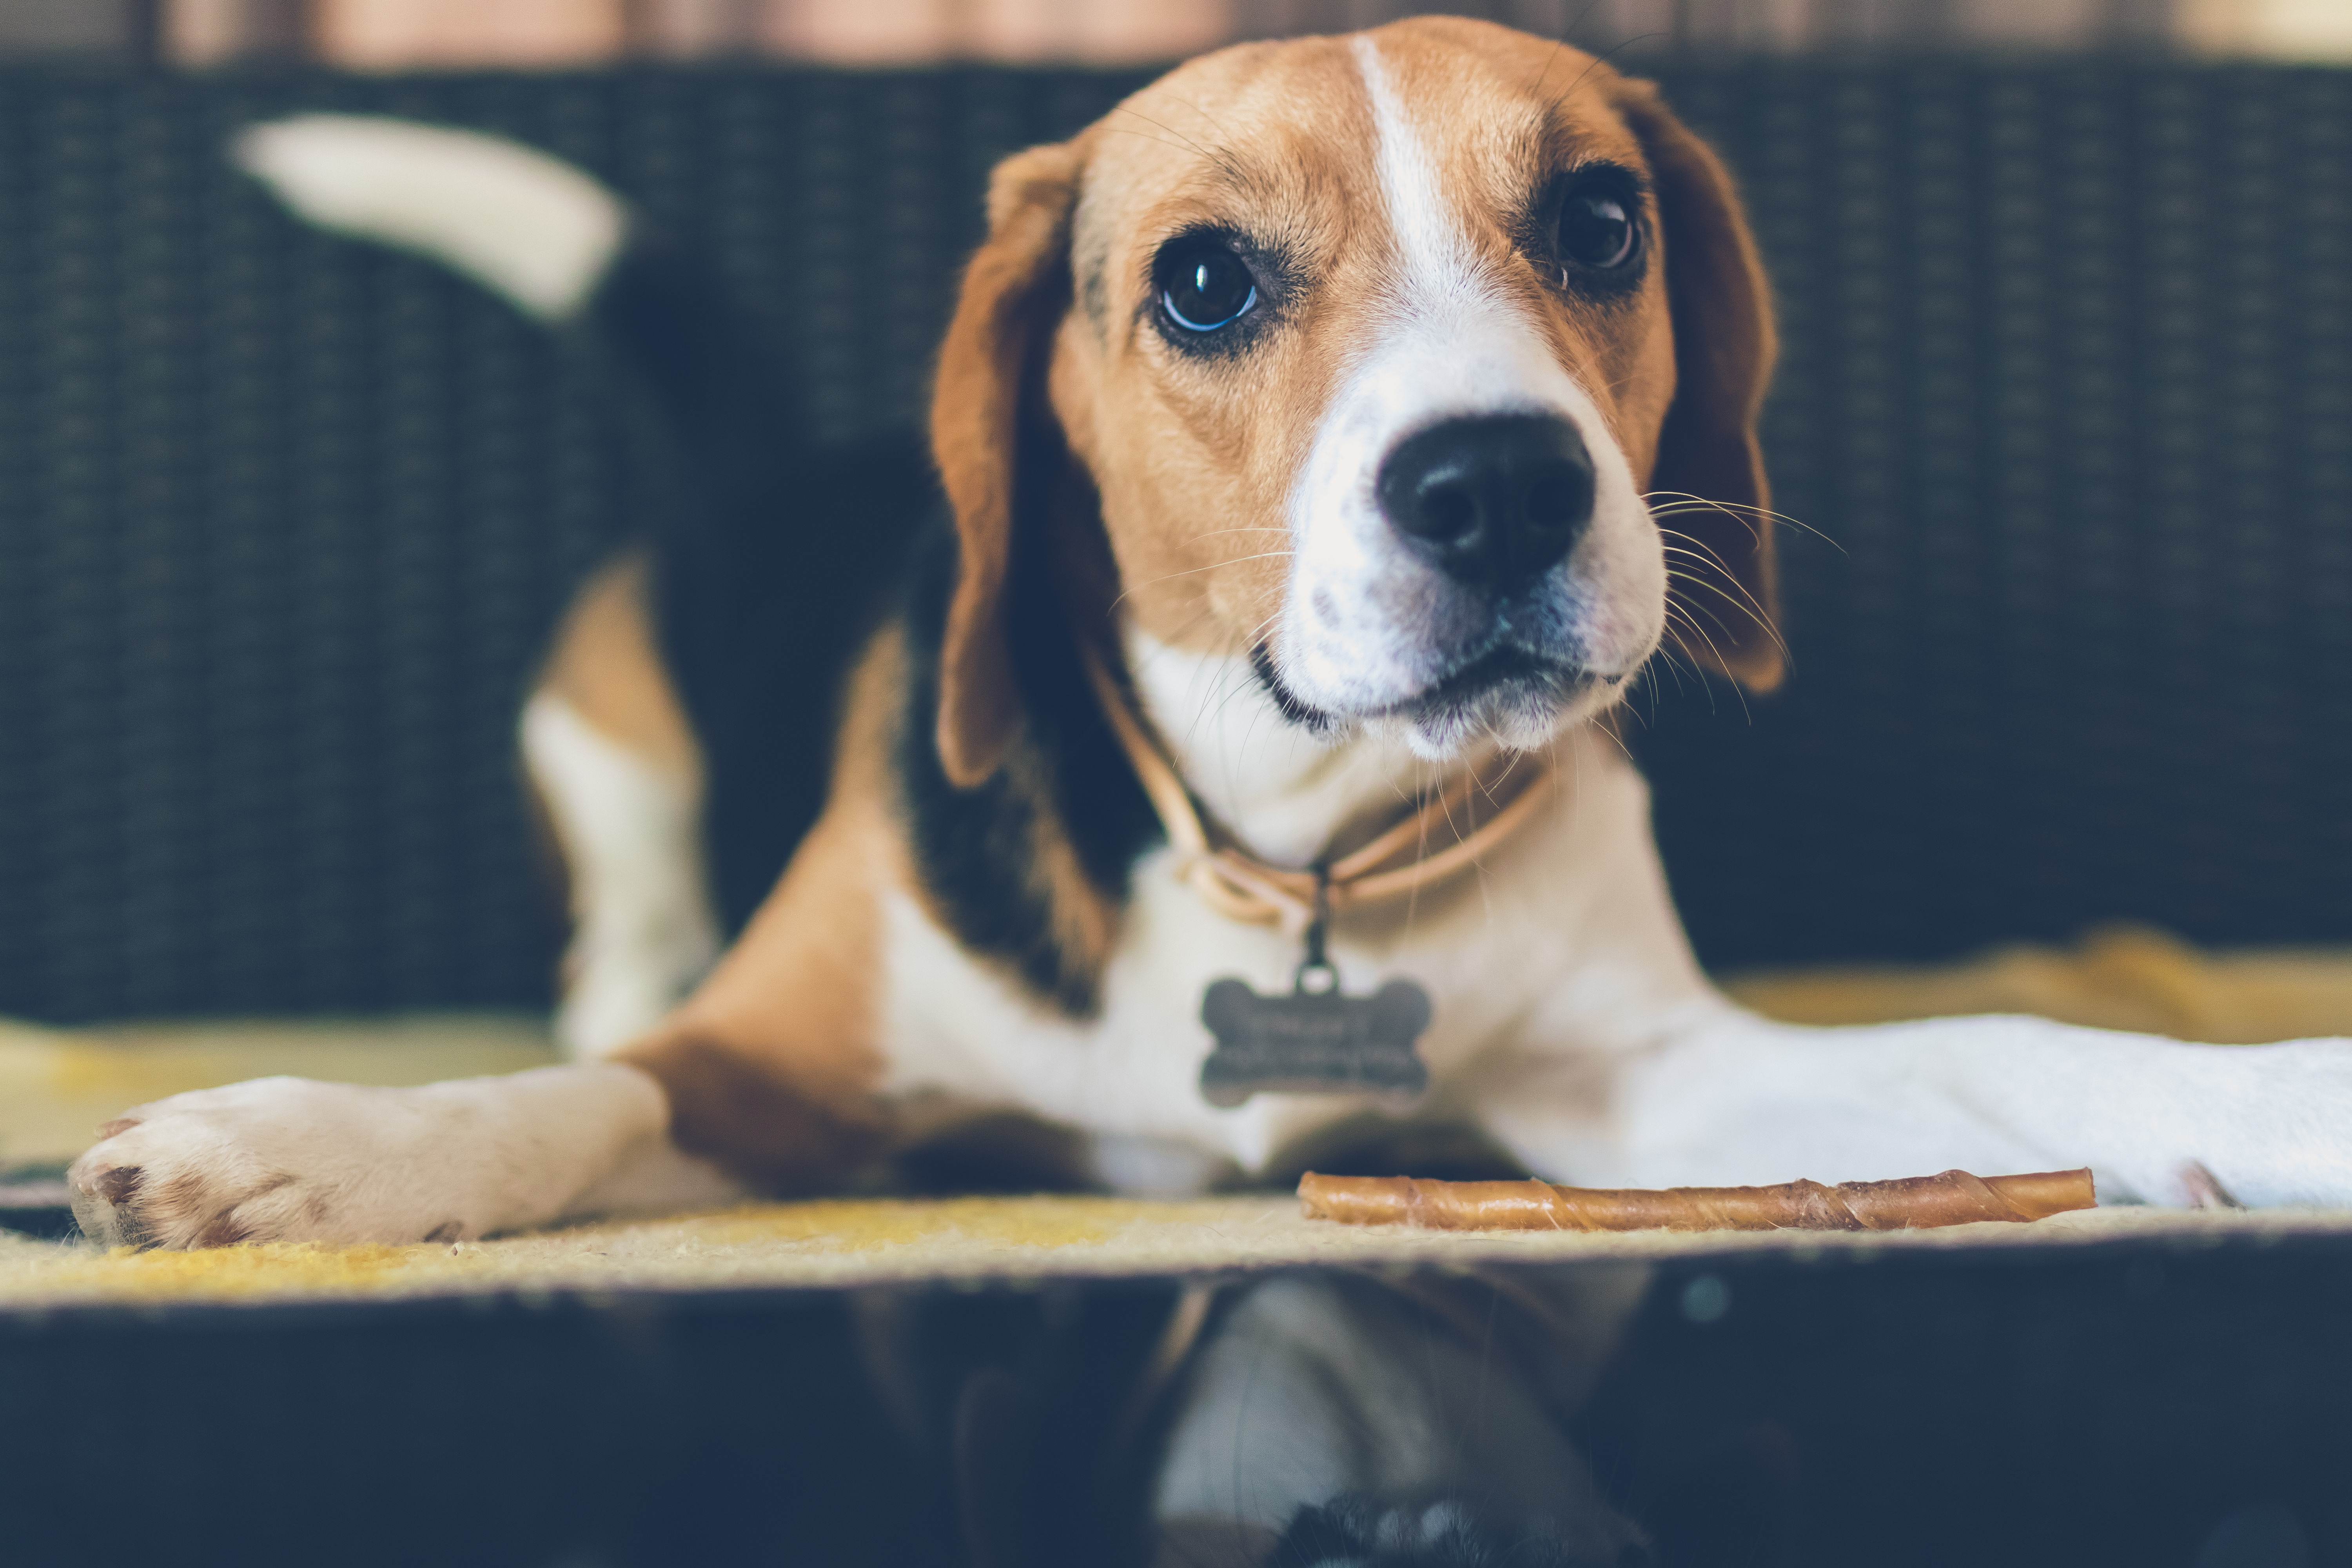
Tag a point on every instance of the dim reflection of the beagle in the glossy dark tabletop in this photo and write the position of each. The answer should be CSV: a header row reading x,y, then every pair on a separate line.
x,y
1295,1421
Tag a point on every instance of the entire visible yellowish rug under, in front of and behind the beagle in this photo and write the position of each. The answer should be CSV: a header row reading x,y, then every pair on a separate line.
x,y
55,1087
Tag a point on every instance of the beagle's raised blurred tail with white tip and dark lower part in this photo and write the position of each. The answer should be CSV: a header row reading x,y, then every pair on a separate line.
x,y
561,248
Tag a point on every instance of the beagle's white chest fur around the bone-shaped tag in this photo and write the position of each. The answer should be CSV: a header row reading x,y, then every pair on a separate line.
x,y
1568,932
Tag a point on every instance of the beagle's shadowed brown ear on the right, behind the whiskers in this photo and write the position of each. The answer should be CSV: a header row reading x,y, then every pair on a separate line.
x,y
1723,363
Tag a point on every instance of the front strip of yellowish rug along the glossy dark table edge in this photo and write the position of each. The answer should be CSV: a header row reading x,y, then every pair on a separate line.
x,y
975,1242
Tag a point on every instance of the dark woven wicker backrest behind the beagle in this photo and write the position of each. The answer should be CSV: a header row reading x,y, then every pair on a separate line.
x,y
283,521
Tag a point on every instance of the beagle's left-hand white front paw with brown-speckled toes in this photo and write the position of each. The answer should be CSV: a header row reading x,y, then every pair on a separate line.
x,y
274,1160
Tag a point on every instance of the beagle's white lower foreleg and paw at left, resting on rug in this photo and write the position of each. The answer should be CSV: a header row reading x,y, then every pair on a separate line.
x,y
330,1162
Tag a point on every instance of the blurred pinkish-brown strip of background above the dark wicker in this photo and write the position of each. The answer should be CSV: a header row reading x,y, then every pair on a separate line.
x,y
455,34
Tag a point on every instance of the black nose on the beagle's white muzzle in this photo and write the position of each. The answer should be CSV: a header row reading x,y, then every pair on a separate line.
x,y
1492,502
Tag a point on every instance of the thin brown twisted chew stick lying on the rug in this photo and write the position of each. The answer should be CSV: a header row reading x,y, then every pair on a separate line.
x,y
1913,1202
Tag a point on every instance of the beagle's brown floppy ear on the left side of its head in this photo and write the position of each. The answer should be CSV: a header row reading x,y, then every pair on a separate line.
x,y
1015,290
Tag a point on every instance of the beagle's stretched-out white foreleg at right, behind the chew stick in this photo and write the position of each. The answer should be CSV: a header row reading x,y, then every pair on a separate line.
x,y
1739,1101
